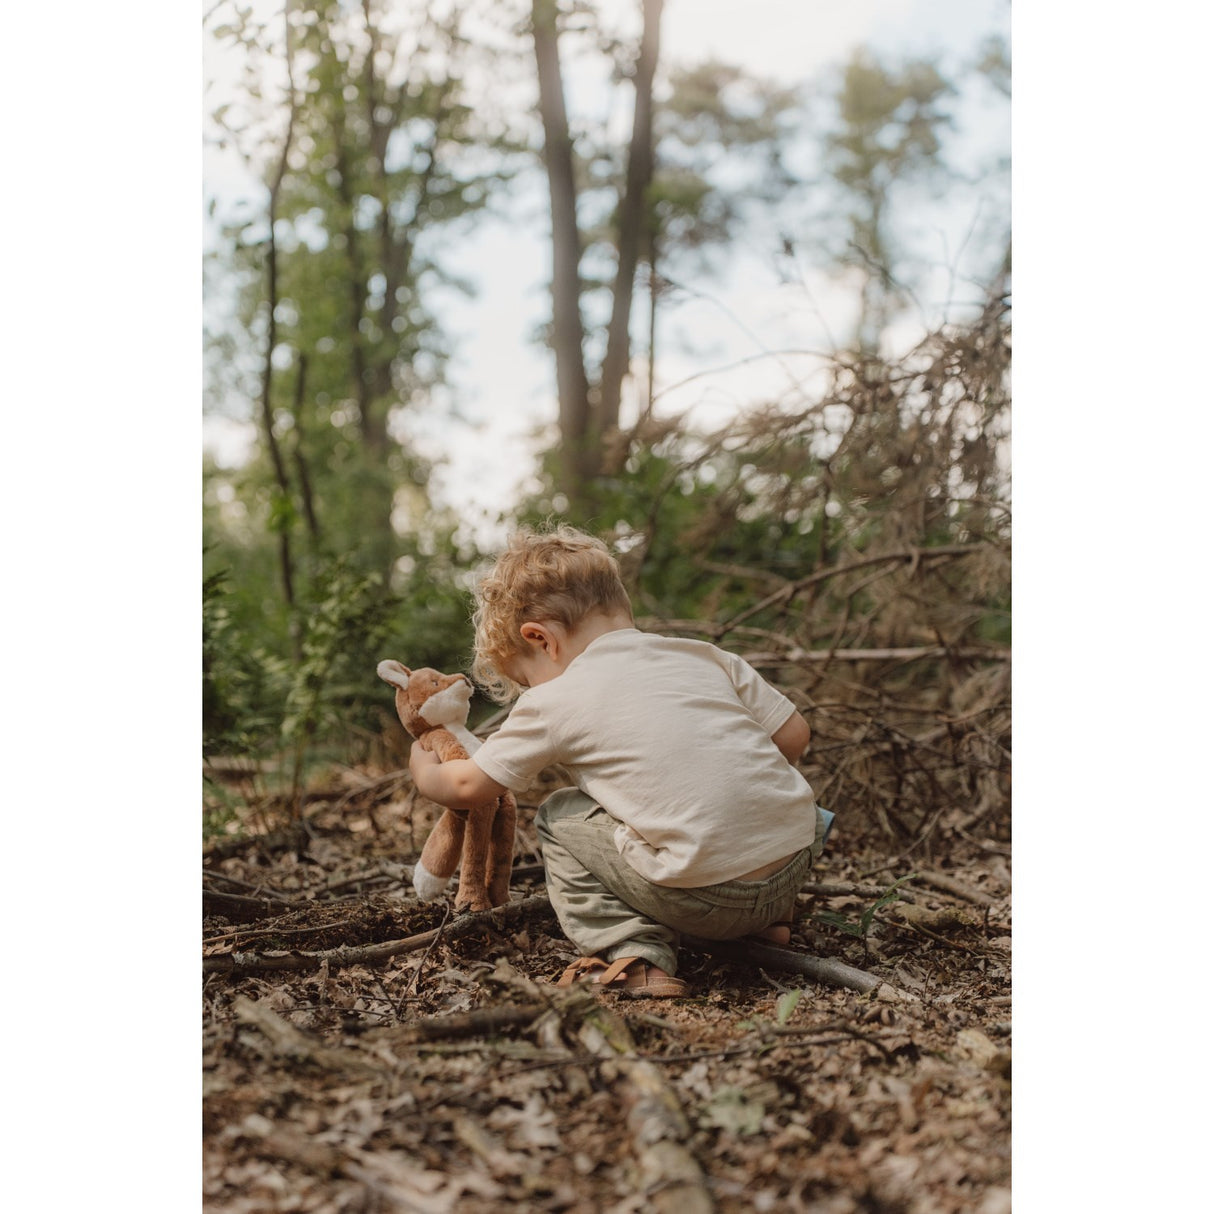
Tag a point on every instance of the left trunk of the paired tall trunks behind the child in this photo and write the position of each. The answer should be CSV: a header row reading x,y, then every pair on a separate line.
x,y
572,387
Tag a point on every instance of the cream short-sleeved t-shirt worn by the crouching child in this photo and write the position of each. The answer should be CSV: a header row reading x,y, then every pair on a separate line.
x,y
674,739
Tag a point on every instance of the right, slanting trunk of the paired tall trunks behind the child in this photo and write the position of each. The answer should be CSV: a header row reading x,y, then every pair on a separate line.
x,y
632,223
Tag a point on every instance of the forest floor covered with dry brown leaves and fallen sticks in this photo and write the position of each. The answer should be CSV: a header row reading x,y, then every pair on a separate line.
x,y
449,1075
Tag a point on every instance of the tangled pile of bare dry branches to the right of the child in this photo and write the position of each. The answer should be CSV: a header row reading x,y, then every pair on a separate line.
x,y
882,603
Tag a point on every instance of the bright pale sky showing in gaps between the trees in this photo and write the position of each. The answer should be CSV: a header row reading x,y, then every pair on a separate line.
x,y
483,430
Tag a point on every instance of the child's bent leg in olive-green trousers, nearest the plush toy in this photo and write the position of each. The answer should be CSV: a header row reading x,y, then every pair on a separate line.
x,y
587,878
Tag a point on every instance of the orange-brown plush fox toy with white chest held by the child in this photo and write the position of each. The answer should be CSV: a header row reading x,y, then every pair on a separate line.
x,y
481,842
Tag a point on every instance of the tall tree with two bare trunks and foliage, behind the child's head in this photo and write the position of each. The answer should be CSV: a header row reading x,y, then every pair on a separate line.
x,y
667,197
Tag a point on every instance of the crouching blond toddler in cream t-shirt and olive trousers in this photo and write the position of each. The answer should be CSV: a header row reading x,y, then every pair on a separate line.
x,y
688,816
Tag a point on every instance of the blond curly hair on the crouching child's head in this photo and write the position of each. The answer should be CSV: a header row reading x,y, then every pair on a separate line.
x,y
557,575
